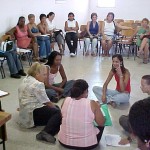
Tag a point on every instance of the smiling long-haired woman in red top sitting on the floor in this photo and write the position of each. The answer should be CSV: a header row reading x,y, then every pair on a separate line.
x,y
122,76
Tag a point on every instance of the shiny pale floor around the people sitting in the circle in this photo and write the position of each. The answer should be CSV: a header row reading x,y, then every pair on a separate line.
x,y
95,71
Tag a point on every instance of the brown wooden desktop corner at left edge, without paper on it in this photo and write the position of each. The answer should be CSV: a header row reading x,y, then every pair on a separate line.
x,y
4,117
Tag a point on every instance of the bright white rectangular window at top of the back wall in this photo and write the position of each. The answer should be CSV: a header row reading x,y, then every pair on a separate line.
x,y
106,3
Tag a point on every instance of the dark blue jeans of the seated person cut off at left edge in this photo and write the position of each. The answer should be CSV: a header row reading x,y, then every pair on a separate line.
x,y
13,61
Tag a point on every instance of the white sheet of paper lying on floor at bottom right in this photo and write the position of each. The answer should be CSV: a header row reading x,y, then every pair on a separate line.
x,y
113,140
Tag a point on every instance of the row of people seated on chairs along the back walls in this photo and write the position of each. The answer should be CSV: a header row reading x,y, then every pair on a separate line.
x,y
40,38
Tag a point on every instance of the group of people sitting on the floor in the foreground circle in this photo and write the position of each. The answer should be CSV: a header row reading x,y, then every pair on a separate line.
x,y
74,121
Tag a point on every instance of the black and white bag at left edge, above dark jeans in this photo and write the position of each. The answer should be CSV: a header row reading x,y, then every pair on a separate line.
x,y
6,46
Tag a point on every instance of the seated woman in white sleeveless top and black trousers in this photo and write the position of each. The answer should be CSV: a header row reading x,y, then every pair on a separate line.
x,y
71,28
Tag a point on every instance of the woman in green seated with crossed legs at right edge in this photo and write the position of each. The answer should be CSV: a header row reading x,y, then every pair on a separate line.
x,y
143,42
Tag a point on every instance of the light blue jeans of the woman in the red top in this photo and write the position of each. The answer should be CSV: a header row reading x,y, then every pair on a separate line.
x,y
111,95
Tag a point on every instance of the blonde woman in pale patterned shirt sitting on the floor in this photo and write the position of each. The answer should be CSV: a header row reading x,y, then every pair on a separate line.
x,y
36,109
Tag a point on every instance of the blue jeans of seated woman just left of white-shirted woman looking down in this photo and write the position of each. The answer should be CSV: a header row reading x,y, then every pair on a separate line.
x,y
45,48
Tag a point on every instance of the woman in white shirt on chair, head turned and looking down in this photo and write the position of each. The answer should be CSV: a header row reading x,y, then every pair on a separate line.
x,y
56,34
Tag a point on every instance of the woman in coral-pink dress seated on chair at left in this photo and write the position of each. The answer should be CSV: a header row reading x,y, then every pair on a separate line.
x,y
21,33
